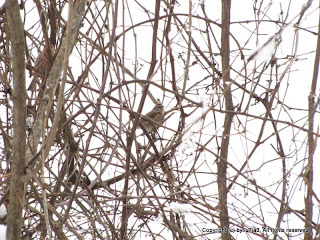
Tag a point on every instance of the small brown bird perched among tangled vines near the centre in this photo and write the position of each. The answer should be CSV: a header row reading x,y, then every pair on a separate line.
x,y
153,119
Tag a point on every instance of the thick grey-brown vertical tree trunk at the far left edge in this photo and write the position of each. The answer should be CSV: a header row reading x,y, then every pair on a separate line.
x,y
18,165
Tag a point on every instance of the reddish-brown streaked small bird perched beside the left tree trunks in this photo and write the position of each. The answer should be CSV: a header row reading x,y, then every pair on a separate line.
x,y
41,67
